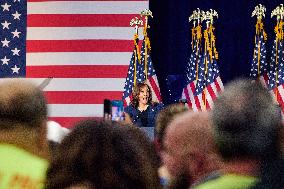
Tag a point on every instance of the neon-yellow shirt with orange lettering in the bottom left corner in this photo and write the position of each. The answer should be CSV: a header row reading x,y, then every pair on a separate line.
x,y
21,169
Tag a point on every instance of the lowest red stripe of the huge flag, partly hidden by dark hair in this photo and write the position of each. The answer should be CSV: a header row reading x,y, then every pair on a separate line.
x,y
68,122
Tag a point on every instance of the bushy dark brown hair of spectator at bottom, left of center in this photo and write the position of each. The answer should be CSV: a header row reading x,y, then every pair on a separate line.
x,y
106,155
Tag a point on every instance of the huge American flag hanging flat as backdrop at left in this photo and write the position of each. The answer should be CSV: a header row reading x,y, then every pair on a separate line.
x,y
85,46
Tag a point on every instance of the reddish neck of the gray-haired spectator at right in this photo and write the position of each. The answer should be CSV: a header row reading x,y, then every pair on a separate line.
x,y
247,167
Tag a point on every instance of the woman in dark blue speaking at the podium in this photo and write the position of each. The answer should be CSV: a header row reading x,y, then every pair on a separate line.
x,y
142,111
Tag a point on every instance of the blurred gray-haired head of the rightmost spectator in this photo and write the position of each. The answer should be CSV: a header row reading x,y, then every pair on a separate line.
x,y
246,121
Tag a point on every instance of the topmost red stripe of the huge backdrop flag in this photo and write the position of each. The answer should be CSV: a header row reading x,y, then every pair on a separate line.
x,y
80,20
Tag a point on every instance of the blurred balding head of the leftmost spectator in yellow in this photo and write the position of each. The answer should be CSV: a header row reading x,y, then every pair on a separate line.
x,y
21,103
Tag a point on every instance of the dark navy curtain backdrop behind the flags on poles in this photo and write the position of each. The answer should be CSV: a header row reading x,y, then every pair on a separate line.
x,y
170,35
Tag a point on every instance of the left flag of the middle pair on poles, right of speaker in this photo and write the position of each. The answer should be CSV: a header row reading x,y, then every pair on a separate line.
x,y
191,71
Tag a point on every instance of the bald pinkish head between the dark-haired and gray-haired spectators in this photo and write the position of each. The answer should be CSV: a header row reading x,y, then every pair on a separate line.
x,y
189,146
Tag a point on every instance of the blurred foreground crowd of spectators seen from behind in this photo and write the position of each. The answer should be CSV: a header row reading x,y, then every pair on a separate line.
x,y
236,145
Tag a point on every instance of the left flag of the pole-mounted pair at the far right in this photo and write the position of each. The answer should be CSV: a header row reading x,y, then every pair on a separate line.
x,y
259,65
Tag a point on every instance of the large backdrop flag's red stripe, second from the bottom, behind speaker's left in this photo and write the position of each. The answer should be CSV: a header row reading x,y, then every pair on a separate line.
x,y
81,97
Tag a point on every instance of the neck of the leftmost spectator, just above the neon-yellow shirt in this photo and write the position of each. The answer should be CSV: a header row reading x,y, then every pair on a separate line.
x,y
27,139
